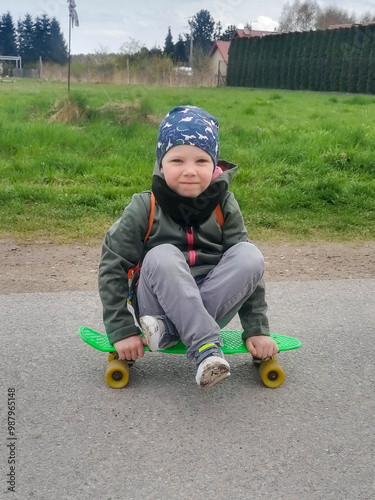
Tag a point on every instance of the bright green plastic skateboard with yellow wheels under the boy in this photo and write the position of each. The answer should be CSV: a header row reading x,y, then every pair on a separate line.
x,y
117,375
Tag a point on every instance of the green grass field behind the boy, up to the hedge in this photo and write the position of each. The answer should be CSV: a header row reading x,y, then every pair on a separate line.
x,y
68,167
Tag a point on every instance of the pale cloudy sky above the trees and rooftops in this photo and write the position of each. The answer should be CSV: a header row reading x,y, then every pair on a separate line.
x,y
108,24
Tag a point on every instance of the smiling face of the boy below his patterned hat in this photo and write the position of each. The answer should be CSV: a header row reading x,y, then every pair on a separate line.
x,y
187,170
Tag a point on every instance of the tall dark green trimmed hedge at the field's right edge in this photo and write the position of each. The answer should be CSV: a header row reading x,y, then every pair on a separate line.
x,y
341,60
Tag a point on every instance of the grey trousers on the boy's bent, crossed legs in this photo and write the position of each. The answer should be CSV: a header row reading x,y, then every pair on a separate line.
x,y
197,308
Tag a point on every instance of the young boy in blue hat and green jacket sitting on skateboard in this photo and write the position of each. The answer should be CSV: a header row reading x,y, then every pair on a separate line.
x,y
195,274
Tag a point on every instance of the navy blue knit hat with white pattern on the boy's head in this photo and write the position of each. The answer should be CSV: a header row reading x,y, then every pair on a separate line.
x,y
188,125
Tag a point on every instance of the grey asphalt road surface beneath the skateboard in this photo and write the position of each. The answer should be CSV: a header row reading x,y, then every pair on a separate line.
x,y
164,438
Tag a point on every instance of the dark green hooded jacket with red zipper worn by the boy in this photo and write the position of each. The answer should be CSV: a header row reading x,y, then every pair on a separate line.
x,y
124,247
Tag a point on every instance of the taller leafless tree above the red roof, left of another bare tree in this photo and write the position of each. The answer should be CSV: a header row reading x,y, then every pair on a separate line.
x,y
299,16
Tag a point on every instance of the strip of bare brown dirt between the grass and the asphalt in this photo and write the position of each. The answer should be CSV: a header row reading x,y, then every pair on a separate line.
x,y
53,268
